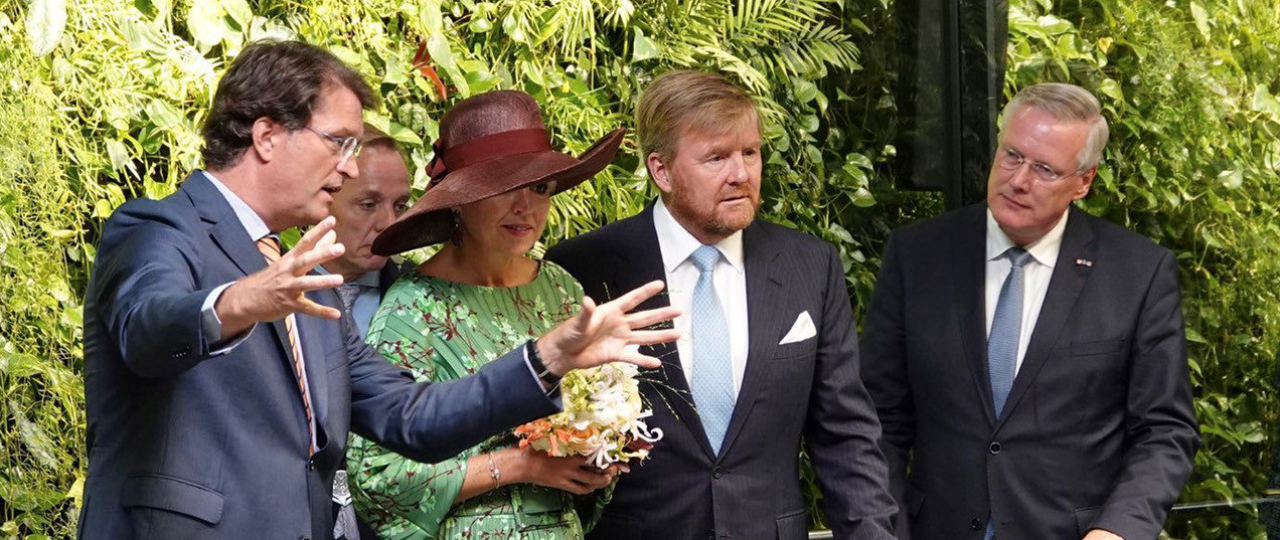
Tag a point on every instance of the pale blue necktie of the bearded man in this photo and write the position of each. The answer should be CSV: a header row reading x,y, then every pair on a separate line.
x,y
714,376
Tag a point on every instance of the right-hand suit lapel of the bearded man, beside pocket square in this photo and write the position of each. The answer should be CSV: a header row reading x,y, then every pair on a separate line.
x,y
765,300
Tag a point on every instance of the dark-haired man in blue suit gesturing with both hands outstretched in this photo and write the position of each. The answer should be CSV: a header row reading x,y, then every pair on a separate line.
x,y
221,376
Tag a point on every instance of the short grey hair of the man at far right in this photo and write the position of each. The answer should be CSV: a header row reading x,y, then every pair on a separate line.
x,y
1066,103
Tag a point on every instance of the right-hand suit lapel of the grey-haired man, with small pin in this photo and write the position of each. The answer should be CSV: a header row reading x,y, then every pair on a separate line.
x,y
1064,289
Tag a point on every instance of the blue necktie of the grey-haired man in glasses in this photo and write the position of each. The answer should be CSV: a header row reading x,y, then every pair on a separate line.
x,y
1007,331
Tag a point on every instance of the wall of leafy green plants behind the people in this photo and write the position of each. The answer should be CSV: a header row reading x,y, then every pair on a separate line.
x,y
102,100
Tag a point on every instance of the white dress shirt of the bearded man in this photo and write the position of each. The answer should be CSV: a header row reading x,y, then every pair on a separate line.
x,y
730,280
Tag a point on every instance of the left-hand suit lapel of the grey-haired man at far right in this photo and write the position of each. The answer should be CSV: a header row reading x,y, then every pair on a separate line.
x,y
970,257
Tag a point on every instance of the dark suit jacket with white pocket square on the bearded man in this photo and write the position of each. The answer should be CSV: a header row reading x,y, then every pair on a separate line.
x,y
808,390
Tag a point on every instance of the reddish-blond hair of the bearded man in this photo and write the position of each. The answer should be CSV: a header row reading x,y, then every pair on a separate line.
x,y
688,100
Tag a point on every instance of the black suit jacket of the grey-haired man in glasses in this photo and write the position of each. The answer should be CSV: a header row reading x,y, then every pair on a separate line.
x,y
1099,429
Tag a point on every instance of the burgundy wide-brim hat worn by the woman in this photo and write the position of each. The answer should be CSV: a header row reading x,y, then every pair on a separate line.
x,y
490,145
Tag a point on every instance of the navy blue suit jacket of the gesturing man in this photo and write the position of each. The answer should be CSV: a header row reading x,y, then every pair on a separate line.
x,y
184,445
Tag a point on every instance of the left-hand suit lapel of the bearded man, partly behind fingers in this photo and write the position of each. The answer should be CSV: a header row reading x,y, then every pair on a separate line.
x,y
639,251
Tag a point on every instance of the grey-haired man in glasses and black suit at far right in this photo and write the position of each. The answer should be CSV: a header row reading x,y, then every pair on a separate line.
x,y
1028,360
